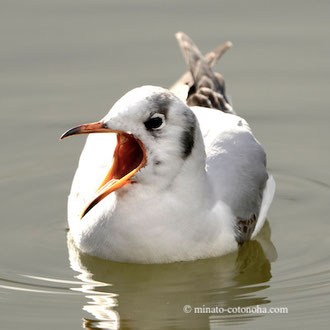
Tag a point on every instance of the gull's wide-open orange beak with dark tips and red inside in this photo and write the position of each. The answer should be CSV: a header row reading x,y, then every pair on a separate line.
x,y
128,158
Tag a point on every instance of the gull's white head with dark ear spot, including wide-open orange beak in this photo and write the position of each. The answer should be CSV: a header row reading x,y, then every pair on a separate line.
x,y
158,139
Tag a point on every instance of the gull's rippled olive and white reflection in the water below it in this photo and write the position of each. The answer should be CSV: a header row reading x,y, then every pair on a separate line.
x,y
153,296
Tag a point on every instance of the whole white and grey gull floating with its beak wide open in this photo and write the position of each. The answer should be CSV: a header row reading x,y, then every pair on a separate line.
x,y
181,177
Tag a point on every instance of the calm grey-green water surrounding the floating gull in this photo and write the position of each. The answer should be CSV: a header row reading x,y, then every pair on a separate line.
x,y
64,63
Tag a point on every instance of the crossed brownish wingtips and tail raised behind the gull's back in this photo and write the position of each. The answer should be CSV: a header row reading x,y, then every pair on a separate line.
x,y
201,86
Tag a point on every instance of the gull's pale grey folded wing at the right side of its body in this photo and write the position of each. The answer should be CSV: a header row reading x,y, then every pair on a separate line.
x,y
239,168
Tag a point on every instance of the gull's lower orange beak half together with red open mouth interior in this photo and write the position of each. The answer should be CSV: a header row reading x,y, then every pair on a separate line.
x,y
129,156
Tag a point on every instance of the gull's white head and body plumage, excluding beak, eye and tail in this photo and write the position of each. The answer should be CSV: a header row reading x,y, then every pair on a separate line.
x,y
181,207
